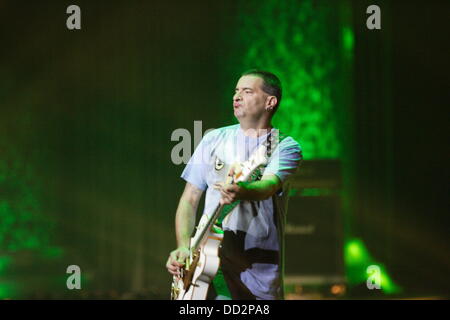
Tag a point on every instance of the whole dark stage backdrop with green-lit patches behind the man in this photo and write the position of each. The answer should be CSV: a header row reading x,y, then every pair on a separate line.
x,y
87,116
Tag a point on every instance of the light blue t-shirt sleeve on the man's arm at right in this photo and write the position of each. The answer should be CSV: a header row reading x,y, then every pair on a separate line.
x,y
285,160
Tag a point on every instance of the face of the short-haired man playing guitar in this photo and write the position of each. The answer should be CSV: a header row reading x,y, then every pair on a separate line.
x,y
249,99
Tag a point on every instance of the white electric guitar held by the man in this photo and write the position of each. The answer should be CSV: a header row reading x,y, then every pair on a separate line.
x,y
203,261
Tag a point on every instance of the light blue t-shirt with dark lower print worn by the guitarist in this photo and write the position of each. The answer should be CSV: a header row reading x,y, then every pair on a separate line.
x,y
252,247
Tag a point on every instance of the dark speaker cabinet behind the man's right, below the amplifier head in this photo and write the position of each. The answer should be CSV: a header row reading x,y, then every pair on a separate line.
x,y
314,237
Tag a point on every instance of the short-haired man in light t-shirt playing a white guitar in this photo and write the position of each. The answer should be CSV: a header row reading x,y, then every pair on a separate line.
x,y
251,252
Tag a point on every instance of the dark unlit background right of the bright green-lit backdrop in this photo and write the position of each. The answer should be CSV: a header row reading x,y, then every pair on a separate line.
x,y
405,91
